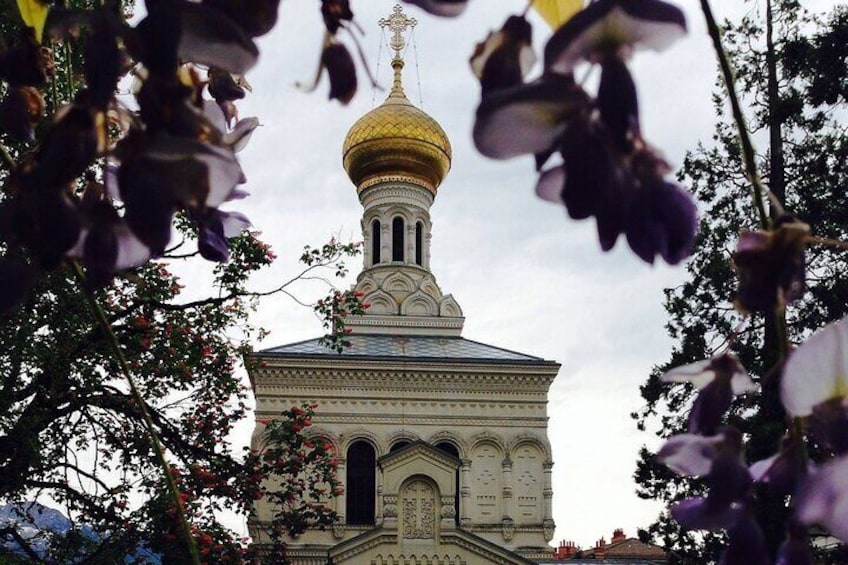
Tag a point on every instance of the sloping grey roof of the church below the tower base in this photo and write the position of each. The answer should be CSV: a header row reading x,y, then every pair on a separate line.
x,y
410,347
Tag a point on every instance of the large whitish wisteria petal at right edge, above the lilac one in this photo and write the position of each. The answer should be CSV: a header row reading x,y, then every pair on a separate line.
x,y
817,371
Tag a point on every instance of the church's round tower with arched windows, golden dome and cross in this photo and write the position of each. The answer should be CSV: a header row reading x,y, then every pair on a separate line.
x,y
397,157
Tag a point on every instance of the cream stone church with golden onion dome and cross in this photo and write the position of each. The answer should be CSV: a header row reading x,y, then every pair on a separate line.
x,y
443,444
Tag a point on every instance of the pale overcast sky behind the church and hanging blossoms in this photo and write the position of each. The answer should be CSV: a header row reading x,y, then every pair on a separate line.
x,y
527,277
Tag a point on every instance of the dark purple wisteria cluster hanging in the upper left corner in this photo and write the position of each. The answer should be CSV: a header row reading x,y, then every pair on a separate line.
x,y
174,154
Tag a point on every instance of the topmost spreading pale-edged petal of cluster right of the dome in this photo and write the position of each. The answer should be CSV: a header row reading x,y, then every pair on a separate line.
x,y
613,27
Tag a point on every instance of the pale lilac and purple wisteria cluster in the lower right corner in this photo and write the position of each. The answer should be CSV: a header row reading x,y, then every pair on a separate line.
x,y
814,390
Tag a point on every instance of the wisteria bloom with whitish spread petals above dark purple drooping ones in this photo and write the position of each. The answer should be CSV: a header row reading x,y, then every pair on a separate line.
x,y
718,379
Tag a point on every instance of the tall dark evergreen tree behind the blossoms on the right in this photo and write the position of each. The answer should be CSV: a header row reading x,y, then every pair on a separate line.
x,y
701,318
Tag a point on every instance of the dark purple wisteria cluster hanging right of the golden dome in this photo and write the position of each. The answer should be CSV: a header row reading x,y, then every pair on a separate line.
x,y
607,168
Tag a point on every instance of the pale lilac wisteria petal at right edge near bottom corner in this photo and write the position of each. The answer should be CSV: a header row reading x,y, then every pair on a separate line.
x,y
823,498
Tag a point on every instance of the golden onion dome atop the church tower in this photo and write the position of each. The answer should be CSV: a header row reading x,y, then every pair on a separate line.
x,y
396,139
